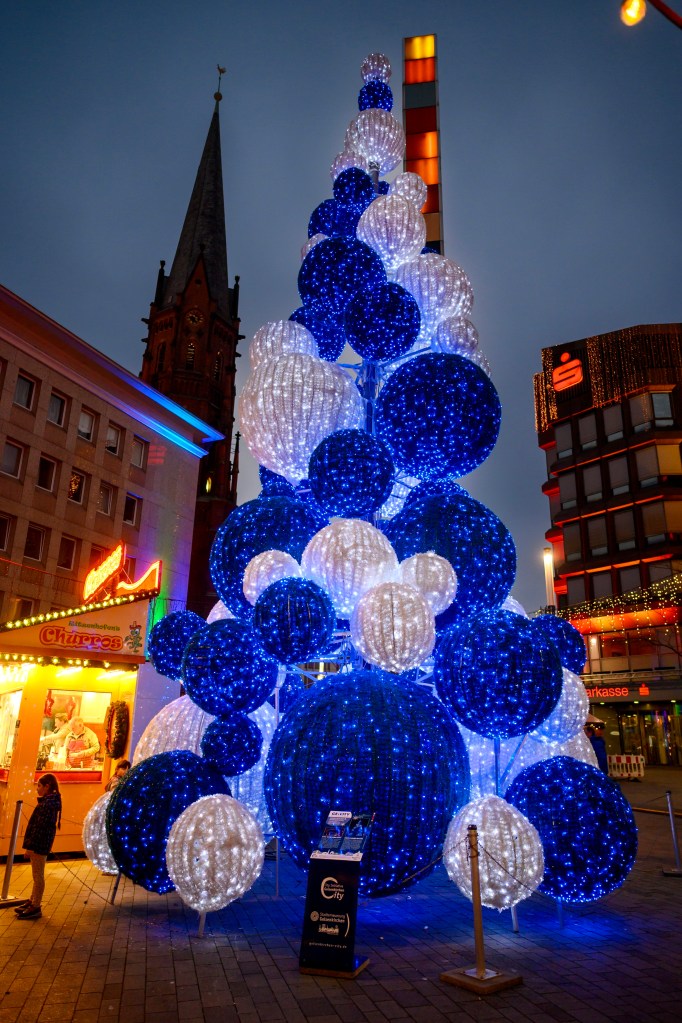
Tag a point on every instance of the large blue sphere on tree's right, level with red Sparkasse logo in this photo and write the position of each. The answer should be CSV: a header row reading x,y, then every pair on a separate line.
x,y
440,416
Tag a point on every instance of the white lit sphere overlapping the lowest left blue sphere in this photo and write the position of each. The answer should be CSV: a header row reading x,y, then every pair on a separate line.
x,y
215,853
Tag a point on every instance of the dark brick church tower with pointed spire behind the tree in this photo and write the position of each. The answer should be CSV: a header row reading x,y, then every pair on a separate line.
x,y
192,352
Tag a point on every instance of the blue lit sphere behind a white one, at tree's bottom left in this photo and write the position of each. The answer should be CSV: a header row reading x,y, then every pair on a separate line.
x,y
145,807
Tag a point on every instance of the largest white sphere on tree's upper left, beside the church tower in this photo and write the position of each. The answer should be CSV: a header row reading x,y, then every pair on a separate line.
x,y
292,404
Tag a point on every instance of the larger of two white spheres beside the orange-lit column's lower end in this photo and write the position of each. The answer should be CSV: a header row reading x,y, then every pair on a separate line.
x,y
394,229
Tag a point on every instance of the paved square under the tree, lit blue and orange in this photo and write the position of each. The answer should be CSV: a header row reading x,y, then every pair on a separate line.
x,y
142,960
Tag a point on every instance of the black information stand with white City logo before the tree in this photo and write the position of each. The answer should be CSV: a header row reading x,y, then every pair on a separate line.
x,y
328,946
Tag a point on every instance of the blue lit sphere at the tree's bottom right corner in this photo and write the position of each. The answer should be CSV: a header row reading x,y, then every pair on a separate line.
x,y
586,825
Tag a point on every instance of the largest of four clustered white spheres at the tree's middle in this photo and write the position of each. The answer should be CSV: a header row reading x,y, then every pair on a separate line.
x,y
347,559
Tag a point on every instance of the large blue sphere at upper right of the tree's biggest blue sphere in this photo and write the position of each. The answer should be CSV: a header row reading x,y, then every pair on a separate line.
x,y
498,678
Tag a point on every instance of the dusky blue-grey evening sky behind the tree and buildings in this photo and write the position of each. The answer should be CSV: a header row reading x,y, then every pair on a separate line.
x,y
561,151
